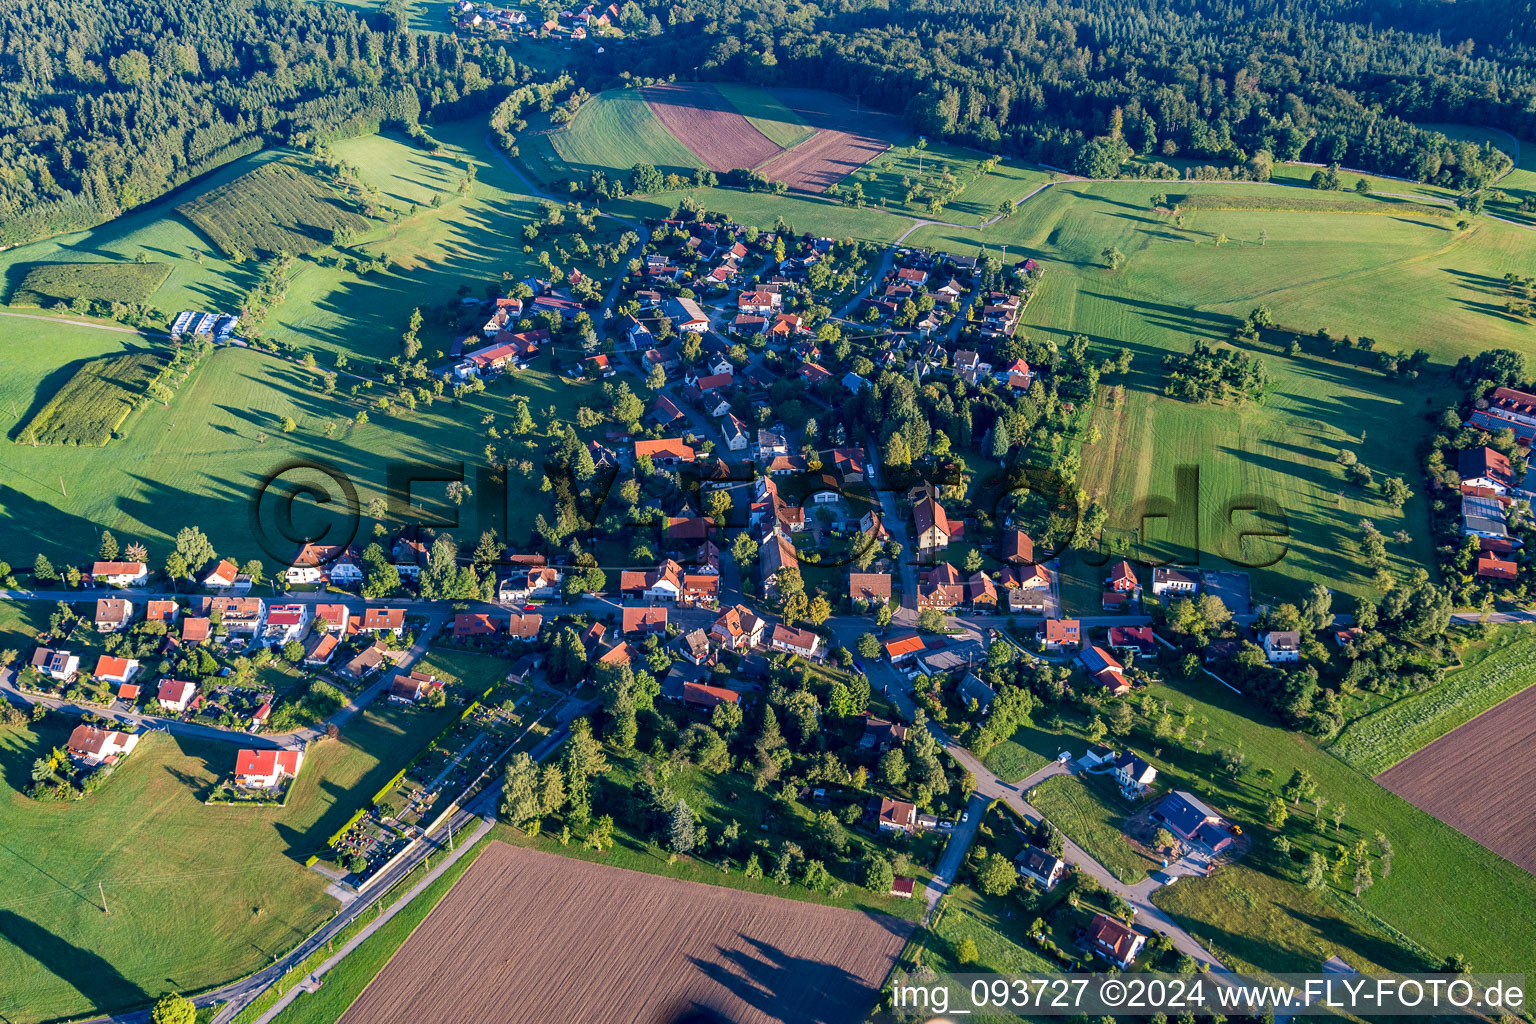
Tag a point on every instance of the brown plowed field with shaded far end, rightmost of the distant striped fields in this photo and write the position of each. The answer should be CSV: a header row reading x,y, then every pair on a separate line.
x,y
846,140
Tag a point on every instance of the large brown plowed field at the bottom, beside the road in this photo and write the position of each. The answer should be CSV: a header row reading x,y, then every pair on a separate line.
x,y
541,939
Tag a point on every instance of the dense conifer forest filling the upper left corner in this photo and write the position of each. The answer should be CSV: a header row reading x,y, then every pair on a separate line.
x,y
110,104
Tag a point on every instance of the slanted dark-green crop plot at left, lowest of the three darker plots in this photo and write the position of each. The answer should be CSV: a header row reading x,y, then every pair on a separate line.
x,y
94,401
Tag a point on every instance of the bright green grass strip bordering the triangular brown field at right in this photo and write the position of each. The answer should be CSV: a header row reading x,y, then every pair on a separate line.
x,y
1406,727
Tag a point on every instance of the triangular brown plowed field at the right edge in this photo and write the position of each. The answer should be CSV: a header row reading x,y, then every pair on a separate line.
x,y
1480,779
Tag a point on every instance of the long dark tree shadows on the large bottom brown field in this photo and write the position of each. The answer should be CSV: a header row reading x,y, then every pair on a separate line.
x,y
790,989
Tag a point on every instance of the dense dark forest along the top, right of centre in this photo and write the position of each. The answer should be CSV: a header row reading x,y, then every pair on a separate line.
x,y
1216,81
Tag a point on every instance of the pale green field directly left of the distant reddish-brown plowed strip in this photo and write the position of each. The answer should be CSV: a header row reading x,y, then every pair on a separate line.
x,y
612,133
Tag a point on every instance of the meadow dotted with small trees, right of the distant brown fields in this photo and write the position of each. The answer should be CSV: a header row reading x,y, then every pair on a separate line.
x,y
887,180
